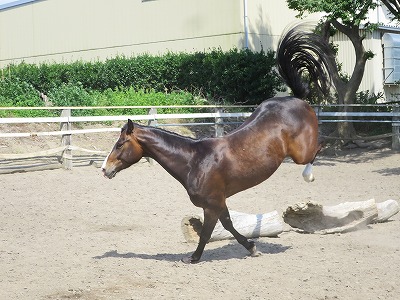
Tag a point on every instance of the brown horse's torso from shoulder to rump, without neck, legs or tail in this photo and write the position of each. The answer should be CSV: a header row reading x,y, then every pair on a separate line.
x,y
252,153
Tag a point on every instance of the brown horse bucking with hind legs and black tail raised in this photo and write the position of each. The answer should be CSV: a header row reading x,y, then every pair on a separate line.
x,y
213,169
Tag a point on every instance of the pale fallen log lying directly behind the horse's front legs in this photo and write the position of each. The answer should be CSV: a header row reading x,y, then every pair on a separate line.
x,y
249,225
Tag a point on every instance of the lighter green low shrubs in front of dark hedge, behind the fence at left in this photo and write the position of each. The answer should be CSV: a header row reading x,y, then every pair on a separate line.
x,y
14,93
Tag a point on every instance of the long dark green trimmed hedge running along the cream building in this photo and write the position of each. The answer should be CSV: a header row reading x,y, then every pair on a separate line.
x,y
235,76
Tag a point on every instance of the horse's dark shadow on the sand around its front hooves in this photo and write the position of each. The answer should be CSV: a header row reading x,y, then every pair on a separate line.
x,y
230,251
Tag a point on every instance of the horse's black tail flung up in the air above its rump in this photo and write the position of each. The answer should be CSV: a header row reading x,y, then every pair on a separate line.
x,y
300,50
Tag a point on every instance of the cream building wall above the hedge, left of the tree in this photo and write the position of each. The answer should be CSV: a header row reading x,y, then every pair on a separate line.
x,y
68,30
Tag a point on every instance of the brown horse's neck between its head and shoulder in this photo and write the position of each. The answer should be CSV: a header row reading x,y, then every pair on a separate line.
x,y
172,151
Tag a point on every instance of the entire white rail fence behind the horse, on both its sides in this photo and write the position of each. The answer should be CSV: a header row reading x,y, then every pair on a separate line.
x,y
218,118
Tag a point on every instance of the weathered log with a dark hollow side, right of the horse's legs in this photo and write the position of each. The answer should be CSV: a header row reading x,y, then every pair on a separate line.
x,y
312,217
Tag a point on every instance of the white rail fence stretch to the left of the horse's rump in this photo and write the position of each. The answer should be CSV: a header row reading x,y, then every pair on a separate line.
x,y
66,121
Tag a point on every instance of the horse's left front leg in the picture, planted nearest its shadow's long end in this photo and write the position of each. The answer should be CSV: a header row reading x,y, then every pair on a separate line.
x,y
210,219
